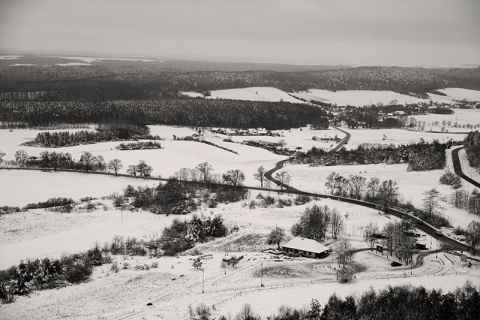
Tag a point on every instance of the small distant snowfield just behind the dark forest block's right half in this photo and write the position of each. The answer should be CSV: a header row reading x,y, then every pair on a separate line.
x,y
254,94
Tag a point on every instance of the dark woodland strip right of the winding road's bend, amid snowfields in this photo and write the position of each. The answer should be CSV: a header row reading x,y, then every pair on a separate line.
x,y
420,156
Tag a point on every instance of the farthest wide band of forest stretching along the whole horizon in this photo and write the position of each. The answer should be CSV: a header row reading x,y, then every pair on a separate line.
x,y
104,82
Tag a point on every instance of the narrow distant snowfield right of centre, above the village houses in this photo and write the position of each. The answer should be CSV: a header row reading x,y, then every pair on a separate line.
x,y
356,97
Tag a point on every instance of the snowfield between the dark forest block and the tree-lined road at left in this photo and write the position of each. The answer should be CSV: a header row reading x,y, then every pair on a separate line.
x,y
173,156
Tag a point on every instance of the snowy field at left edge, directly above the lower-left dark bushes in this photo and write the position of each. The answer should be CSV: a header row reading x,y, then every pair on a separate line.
x,y
74,234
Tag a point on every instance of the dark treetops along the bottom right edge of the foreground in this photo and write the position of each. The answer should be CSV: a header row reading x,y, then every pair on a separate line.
x,y
394,302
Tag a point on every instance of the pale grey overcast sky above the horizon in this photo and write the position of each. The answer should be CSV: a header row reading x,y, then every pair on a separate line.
x,y
400,32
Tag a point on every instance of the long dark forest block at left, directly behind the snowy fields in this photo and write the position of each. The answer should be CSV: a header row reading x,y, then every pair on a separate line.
x,y
189,112
